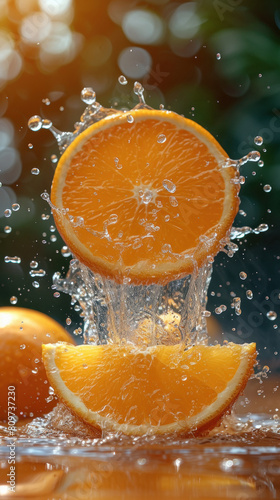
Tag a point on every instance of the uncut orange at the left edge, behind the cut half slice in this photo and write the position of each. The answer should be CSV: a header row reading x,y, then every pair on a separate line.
x,y
22,333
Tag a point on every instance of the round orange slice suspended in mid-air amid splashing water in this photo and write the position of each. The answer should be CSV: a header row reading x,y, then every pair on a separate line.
x,y
144,196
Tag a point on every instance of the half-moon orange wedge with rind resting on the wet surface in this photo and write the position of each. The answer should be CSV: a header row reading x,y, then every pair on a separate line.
x,y
157,390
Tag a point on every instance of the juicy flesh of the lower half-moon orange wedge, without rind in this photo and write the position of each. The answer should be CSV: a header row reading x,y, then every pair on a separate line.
x,y
153,387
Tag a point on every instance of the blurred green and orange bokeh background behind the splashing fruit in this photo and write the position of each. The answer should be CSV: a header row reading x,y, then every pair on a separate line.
x,y
217,62
